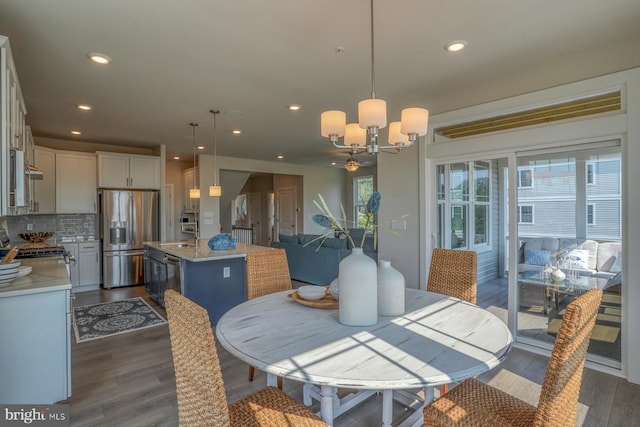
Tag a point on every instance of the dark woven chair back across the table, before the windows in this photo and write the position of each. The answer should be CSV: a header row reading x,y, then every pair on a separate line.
x,y
453,273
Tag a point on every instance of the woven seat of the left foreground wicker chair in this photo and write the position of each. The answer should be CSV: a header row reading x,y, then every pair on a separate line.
x,y
271,407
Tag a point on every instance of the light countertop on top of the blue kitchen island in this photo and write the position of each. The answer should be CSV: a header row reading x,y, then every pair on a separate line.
x,y
187,250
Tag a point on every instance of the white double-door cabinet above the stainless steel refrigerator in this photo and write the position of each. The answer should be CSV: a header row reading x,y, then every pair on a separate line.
x,y
128,171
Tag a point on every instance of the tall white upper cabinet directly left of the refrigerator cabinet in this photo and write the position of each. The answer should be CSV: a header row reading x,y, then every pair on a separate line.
x,y
75,182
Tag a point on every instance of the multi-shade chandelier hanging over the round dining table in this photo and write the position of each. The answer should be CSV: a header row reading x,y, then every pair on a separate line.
x,y
372,116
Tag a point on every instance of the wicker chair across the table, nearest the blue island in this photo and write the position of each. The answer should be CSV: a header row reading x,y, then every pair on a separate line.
x,y
267,272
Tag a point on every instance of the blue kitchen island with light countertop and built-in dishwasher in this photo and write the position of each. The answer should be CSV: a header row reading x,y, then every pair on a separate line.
x,y
216,280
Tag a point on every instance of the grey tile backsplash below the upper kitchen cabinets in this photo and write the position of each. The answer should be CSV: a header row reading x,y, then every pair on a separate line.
x,y
65,227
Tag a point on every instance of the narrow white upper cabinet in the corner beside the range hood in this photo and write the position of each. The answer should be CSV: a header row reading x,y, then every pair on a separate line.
x,y
44,191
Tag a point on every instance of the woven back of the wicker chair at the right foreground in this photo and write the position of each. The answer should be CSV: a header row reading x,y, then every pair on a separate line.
x,y
558,402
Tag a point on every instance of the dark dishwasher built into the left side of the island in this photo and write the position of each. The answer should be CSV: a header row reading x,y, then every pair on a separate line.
x,y
161,272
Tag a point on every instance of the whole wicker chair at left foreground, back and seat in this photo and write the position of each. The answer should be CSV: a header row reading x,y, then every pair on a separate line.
x,y
200,388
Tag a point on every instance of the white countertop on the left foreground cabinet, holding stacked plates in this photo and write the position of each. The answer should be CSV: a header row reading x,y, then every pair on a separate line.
x,y
47,274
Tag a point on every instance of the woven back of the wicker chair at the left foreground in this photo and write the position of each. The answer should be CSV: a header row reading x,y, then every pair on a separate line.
x,y
202,400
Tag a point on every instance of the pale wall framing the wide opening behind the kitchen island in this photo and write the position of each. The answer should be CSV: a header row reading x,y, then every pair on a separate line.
x,y
325,181
